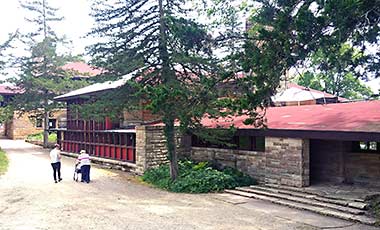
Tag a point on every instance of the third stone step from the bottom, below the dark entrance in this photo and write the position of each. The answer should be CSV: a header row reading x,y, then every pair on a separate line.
x,y
321,198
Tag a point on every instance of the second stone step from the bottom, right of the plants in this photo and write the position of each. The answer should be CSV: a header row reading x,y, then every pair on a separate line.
x,y
302,200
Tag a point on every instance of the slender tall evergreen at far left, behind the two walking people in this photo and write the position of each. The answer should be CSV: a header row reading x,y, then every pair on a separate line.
x,y
41,78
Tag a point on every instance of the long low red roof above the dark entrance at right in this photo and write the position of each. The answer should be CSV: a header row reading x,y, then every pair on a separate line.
x,y
355,116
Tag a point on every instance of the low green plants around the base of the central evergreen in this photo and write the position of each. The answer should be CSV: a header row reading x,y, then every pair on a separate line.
x,y
196,178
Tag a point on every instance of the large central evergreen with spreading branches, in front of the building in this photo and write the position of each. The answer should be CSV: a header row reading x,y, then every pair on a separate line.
x,y
176,70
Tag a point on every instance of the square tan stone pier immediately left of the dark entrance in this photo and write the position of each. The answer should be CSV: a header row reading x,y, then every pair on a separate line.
x,y
287,161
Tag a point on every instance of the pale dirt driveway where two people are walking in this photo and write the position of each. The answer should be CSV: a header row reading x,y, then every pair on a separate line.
x,y
115,200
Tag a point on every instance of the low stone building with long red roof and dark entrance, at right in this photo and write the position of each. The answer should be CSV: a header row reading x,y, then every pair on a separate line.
x,y
306,145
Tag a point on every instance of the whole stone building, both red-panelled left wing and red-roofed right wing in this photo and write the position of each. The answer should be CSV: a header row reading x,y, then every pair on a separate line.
x,y
301,146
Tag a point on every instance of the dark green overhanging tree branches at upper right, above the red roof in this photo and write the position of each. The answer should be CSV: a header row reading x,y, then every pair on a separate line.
x,y
288,34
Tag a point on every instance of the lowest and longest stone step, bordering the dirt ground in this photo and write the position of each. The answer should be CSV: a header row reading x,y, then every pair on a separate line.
x,y
307,207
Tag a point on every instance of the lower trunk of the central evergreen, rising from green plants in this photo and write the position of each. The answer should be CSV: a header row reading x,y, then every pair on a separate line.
x,y
171,146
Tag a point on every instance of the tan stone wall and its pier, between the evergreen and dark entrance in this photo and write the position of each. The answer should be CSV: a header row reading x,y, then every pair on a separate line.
x,y
285,161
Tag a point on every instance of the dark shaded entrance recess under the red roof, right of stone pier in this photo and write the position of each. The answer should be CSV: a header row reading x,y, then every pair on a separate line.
x,y
334,161
